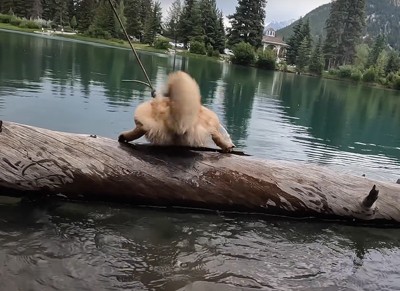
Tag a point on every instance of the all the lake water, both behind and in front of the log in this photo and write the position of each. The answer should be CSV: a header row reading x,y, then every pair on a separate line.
x,y
77,87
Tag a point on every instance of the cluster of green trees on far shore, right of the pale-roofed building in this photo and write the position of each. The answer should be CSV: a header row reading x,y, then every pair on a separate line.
x,y
344,52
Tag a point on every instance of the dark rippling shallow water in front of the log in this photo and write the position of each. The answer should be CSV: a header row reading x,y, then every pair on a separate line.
x,y
102,247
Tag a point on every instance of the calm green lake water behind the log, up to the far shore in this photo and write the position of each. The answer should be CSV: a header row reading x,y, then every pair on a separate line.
x,y
77,87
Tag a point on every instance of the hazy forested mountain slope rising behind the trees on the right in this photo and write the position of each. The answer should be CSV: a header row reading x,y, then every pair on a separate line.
x,y
382,16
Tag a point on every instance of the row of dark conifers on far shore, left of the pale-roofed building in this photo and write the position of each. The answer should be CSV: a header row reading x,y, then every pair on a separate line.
x,y
197,23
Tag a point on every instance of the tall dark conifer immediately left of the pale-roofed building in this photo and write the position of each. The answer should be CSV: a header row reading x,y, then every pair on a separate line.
x,y
247,22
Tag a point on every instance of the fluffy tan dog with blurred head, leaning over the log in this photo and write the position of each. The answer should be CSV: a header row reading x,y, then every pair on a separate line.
x,y
178,118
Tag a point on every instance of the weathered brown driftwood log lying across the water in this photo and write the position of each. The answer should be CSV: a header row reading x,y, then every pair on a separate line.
x,y
37,161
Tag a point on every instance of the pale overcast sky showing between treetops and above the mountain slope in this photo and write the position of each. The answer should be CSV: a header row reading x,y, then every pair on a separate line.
x,y
278,10
